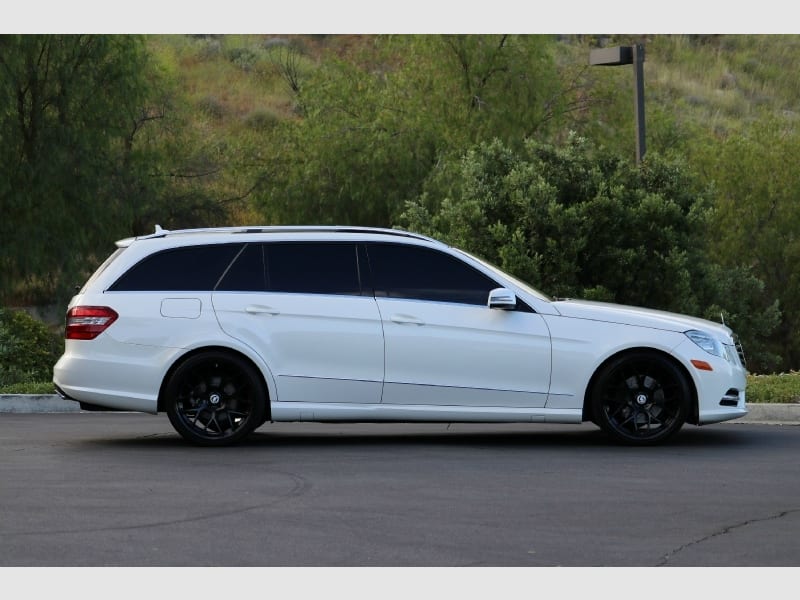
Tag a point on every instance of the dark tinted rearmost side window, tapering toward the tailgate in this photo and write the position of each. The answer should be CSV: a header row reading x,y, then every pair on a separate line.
x,y
195,268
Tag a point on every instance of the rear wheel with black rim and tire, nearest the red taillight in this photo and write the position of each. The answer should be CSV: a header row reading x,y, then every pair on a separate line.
x,y
215,399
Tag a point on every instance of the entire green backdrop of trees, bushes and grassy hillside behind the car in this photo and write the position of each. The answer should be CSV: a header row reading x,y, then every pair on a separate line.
x,y
102,137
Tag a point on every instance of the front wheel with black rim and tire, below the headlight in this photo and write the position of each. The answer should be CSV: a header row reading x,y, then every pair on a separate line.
x,y
641,399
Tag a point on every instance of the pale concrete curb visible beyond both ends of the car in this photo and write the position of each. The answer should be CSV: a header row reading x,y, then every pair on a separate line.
x,y
770,414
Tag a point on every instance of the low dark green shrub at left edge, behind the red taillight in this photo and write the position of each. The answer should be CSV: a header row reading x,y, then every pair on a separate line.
x,y
28,349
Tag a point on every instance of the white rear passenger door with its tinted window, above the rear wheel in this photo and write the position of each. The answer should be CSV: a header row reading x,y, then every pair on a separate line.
x,y
301,307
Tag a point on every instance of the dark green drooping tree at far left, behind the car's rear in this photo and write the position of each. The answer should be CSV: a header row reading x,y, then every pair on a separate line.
x,y
95,145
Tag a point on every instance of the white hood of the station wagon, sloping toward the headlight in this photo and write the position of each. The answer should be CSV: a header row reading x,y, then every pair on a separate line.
x,y
640,317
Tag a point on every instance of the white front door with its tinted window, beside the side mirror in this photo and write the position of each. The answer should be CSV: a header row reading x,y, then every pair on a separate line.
x,y
444,346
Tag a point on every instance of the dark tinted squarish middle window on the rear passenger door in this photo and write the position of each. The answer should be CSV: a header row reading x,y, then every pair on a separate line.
x,y
312,268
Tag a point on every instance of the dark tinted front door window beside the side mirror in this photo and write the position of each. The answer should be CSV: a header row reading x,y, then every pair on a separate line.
x,y
425,274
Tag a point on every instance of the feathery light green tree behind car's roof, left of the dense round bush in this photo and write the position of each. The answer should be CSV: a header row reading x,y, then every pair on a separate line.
x,y
371,128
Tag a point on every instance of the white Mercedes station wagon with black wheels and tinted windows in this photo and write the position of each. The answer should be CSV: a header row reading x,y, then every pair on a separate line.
x,y
226,329
